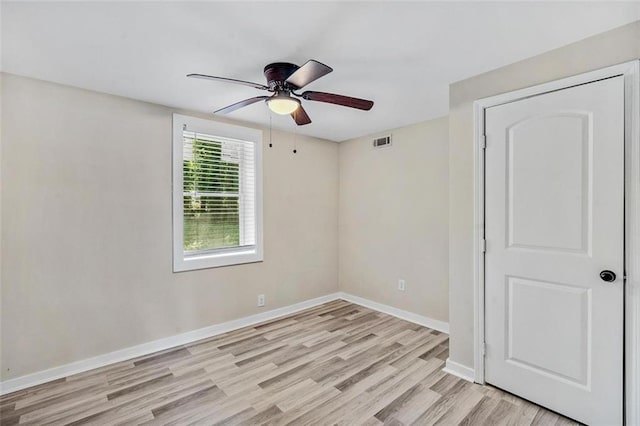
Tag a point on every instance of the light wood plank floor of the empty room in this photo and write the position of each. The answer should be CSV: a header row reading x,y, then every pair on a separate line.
x,y
338,363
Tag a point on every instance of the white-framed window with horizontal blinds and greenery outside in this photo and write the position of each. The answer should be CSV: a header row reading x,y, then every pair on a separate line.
x,y
217,185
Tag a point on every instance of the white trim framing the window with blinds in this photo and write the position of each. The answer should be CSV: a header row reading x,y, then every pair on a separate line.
x,y
227,256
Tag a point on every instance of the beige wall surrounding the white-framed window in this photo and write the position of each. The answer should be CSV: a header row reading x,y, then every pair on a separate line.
x,y
86,220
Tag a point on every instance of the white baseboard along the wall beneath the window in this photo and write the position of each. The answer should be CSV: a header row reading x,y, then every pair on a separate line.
x,y
76,367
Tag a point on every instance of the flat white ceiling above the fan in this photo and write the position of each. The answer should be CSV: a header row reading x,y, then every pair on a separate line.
x,y
401,55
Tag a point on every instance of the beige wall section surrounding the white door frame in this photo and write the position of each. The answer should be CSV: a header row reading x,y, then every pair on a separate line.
x,y
613,47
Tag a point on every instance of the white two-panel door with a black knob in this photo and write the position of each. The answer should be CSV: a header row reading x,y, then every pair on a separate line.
x,y
554,201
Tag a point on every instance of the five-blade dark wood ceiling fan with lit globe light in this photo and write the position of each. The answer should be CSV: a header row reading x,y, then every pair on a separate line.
x,y
283,79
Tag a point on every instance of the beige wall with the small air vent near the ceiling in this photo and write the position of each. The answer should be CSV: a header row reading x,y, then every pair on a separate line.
x,y
393,219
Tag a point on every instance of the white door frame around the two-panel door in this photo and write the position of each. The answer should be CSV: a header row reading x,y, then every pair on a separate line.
x,y
631,73
